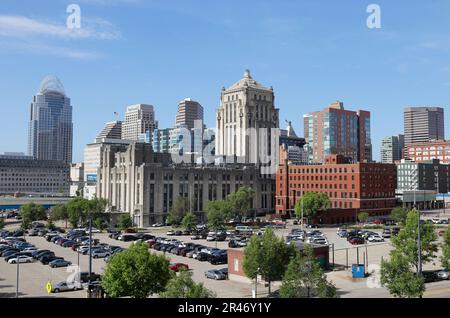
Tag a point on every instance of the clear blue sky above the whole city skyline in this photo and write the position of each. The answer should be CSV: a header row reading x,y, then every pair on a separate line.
x,y
159,52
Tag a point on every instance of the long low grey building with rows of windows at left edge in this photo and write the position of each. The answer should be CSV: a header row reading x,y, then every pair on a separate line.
x,y
32,177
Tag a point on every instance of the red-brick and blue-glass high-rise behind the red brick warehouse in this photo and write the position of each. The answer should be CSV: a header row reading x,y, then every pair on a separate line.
x,y
336,131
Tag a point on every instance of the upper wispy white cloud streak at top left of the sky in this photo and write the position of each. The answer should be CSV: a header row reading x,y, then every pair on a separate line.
x,y
23,27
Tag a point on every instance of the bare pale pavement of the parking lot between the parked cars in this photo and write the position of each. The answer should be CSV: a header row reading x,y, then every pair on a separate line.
x,y
34,276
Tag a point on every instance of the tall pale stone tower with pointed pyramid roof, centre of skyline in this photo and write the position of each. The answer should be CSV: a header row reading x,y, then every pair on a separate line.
x,y
247,105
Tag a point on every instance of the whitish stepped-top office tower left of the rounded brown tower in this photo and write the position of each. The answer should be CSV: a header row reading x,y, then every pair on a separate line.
x,y
139,119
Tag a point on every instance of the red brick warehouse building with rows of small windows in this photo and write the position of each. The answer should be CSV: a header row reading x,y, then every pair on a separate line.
x,y
351,188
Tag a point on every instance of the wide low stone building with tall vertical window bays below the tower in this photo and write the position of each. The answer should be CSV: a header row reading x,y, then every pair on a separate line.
x,y
145,184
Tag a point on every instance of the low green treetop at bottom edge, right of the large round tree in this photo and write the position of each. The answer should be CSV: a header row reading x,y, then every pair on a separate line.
x,y
183,286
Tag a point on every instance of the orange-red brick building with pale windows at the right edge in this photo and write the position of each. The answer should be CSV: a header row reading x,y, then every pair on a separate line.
x,y
425,151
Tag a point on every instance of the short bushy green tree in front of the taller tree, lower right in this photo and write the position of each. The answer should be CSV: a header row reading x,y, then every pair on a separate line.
x,y
397,276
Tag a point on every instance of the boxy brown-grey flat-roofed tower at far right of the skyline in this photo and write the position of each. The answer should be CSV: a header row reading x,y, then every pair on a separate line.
x,y
423,124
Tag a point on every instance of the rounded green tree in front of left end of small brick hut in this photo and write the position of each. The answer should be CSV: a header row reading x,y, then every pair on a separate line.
x,y
267,256
